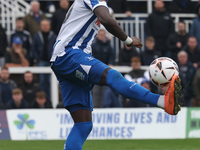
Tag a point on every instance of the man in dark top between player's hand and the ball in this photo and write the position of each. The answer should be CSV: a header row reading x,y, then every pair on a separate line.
x,y
150,53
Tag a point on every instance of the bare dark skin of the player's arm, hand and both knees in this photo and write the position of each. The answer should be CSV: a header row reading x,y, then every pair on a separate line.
x,y
112,26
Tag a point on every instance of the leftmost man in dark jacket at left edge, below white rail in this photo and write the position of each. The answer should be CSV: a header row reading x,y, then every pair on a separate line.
x,y
6,86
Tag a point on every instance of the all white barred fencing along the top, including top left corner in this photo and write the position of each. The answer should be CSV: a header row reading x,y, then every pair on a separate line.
x,y
134,26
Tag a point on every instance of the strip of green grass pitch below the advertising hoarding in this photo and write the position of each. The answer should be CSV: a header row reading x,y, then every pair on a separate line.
x,y
186,144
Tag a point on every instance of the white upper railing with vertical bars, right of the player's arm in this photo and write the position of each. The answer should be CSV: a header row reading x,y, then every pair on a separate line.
x,y
135,26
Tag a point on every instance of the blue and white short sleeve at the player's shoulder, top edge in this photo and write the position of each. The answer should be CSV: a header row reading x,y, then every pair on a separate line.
x,y
92,4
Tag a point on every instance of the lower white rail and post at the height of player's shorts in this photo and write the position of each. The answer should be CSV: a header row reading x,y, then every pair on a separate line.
x,y
53,81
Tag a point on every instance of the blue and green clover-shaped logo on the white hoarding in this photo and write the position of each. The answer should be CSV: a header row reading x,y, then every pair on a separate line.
x,y
24,121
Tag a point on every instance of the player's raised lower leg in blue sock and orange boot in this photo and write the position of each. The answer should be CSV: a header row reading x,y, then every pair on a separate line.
x,y
131,90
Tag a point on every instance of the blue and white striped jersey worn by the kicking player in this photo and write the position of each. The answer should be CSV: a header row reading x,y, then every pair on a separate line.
x,y
79,28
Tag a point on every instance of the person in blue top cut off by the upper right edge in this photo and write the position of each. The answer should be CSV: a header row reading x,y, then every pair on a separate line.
x,y
195,28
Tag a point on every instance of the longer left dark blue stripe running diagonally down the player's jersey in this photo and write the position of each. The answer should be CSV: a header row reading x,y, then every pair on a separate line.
x,y
77,37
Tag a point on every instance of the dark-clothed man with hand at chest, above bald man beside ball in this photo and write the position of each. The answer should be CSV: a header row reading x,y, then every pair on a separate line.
x,y
178,40
